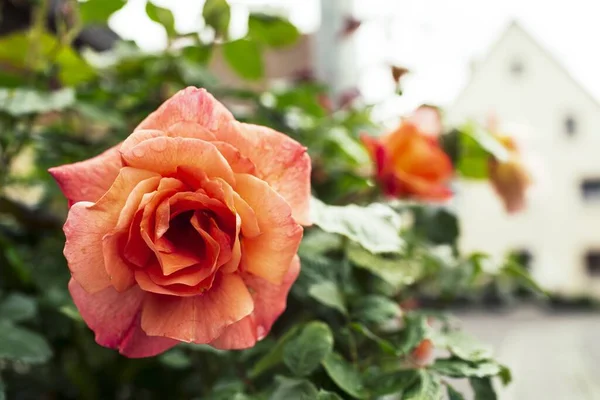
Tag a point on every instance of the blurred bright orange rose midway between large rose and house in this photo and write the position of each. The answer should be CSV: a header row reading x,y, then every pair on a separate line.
x,y
409,164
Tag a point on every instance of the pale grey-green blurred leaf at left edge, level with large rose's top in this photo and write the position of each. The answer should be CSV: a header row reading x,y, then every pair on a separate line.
x,y
19,102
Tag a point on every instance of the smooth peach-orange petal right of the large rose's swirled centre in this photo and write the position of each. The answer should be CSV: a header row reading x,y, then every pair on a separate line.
x,y
269,254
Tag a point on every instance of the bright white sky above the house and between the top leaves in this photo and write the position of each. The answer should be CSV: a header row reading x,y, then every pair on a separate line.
x,y
438,40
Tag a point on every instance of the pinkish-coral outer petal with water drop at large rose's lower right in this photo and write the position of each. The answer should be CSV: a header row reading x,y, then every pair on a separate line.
x,y
269,302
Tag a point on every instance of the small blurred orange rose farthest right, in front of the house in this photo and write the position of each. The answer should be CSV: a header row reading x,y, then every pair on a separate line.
x,y
510,178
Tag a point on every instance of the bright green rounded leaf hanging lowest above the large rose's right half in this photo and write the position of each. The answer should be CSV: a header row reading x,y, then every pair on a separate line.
x,y
245,58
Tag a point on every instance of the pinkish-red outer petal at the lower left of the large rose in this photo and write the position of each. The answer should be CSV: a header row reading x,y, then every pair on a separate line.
x,y
115,319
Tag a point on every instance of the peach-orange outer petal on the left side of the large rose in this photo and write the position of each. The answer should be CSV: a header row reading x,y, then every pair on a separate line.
x,y
87,224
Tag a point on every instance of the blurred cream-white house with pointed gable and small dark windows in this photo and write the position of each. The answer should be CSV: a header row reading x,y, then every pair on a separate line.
x,y
559,124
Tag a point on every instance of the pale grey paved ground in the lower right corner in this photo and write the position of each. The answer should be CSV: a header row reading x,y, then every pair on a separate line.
x,y
553,355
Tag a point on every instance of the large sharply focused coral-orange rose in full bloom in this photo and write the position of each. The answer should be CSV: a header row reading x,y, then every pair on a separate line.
x,y
187,231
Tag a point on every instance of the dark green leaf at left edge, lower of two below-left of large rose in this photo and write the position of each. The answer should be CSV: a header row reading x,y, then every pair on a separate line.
x,y
21,344
